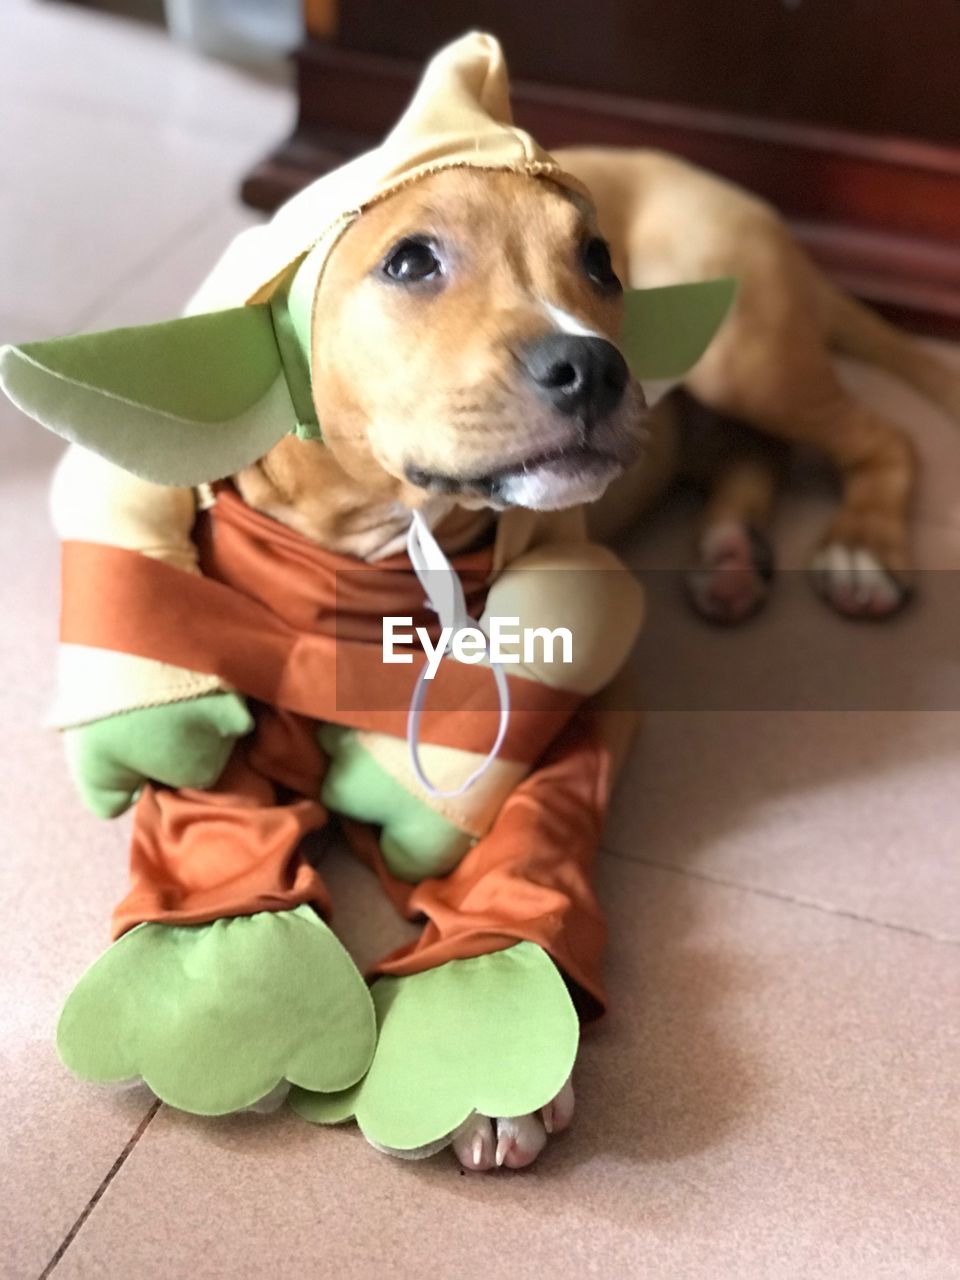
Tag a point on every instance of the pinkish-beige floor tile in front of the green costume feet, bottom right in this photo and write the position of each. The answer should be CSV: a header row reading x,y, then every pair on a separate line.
x,y
770,1098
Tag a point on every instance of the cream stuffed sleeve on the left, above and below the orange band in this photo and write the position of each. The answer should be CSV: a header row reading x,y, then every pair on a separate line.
x,y
95,502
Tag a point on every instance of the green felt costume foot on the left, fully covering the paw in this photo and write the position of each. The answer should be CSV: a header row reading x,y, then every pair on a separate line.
x,y
214,1017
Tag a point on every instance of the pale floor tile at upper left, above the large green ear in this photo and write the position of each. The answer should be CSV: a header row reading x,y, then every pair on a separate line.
x,y
90,202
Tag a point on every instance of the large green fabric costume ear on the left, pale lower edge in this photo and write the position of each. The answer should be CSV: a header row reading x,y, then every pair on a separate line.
x,y
179,404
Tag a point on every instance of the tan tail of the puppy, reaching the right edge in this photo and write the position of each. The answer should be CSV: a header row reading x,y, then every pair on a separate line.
x,y
854,330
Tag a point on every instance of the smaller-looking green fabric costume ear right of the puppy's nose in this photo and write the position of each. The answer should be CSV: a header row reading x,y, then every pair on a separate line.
x,y
666,331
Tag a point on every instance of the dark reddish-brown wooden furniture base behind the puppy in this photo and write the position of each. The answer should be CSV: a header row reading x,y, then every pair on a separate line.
x,y
880,214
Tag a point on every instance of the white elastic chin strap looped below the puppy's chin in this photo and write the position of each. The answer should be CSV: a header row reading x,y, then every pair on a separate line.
x,y
446,598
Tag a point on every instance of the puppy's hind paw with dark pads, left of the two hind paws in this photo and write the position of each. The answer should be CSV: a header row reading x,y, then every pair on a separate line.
x,y
733,578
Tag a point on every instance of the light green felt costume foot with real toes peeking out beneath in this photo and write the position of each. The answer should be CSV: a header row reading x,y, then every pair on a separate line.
x,y
495,1036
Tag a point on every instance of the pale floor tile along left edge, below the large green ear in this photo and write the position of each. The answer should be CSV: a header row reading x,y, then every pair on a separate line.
x,y
60,872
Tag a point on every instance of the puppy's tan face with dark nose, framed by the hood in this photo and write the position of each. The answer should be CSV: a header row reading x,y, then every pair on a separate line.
x,y
465,344
